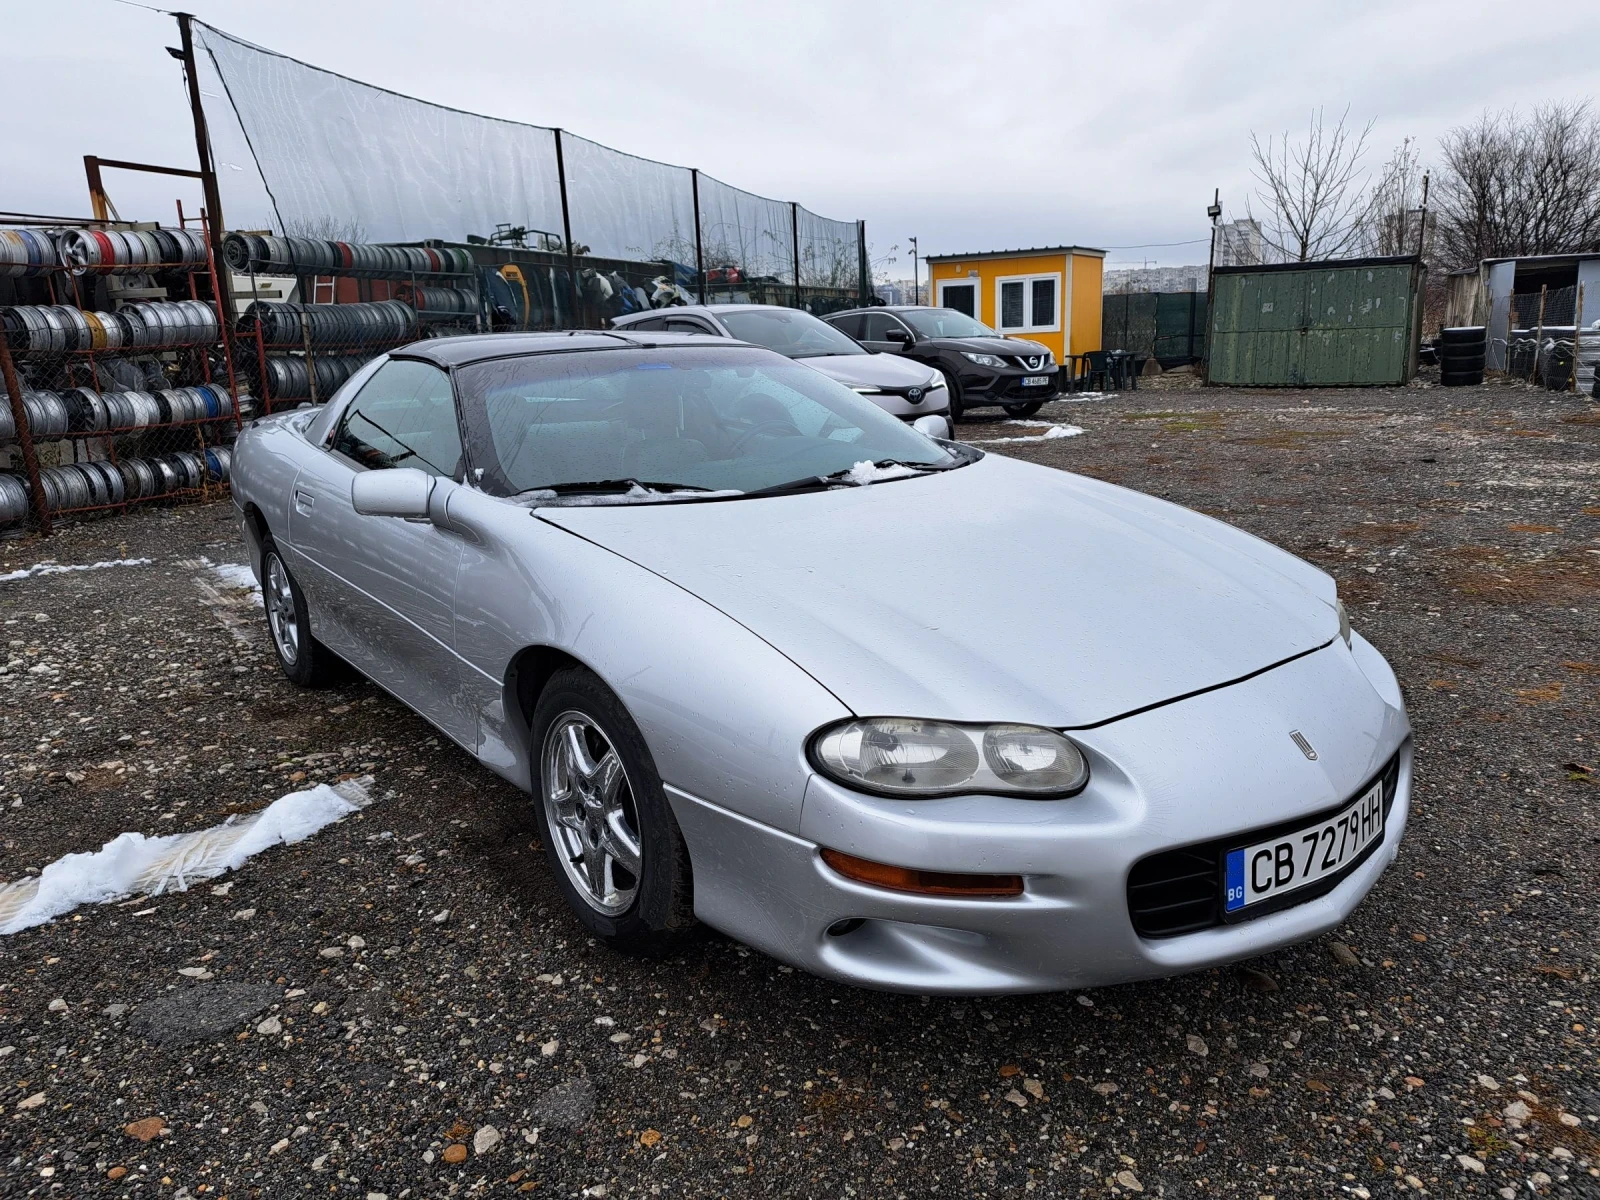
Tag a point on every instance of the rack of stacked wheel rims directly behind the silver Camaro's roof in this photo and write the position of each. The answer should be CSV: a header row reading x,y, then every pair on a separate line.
x,y
378,298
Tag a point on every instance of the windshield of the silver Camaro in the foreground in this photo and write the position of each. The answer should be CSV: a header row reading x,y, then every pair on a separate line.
x,y
718,420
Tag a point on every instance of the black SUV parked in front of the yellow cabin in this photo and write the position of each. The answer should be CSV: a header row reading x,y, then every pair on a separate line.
x,y
982,367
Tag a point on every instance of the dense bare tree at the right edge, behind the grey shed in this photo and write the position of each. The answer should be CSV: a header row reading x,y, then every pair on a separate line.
x,y
1513,185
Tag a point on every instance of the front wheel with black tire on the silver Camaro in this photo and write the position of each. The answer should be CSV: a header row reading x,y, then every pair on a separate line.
x,y
618,855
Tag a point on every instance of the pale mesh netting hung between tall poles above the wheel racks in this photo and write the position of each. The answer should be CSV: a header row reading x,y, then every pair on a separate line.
x,y
308,153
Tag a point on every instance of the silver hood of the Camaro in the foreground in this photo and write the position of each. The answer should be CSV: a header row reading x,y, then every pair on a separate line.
x,y
999,591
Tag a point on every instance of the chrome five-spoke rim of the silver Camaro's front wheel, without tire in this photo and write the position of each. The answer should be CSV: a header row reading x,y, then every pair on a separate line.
x,y
591,814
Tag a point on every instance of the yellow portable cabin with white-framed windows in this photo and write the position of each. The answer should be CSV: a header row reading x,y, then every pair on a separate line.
x,y
1050,297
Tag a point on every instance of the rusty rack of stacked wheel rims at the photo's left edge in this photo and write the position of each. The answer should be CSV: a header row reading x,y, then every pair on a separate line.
x,y
116,375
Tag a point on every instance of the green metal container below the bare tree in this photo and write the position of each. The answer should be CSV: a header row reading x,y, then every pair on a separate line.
x,y
1340,324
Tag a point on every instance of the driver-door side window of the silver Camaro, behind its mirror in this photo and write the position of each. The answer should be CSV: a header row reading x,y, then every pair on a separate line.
x,y
404,418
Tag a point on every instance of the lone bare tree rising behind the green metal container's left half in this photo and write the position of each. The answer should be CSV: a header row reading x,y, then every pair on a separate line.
x,y
1313,193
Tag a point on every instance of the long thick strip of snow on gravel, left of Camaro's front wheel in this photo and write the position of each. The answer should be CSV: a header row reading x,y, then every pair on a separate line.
x,y
134,865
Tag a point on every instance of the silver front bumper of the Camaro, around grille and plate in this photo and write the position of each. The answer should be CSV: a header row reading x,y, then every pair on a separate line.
x,y
1071,927
